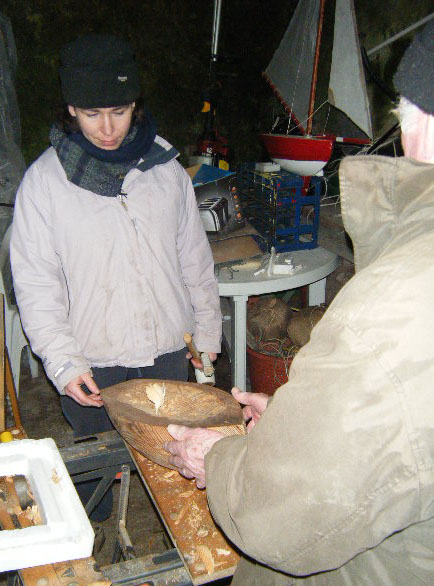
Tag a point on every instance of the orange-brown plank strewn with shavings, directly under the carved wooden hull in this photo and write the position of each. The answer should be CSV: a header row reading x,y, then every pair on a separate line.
x,y
184,510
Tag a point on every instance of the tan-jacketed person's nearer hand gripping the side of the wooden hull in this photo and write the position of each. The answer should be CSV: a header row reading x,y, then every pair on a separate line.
x,y
190,449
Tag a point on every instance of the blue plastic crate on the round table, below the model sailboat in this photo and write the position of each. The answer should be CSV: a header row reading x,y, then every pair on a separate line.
x,y
283,207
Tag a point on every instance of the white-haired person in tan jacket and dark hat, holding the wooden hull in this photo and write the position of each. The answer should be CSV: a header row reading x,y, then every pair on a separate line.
x,y
334,483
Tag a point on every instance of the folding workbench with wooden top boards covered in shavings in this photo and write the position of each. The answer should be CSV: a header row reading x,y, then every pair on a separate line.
x,y
201,553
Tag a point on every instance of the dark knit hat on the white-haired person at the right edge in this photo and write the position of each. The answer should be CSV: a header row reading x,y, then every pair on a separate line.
x,y
414,78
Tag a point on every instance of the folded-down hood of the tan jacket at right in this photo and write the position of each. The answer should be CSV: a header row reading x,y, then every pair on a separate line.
x,y
384,199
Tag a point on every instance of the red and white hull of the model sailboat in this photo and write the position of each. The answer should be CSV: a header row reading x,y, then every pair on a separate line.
x,y
302,155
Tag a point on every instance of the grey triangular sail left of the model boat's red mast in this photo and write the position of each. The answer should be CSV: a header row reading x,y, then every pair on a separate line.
x,y
290,70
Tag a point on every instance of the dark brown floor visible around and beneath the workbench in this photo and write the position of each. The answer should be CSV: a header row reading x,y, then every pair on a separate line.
x,y
42,417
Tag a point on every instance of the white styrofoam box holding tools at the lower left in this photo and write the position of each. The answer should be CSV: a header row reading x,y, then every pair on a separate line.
x,y
66,533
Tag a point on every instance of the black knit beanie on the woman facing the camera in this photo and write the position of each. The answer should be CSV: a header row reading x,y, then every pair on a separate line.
x,y
99,71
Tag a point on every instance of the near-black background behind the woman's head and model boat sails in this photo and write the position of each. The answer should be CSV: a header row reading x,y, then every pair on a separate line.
x,y
172,39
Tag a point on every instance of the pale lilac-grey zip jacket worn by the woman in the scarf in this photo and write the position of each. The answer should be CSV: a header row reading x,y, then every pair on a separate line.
x,y
100,282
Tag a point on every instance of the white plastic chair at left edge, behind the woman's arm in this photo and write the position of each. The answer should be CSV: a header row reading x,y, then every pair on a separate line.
x,y
15,338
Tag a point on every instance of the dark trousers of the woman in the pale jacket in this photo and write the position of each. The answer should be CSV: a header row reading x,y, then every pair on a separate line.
x,y
87,421
